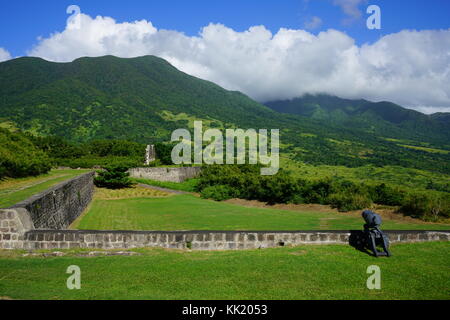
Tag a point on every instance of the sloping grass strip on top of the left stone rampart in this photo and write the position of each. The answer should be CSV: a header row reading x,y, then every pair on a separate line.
x,y
16,190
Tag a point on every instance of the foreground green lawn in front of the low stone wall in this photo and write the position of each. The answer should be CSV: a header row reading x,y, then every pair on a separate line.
x,y
415,271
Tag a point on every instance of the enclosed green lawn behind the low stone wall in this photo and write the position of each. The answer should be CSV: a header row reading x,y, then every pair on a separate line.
x,y
187,212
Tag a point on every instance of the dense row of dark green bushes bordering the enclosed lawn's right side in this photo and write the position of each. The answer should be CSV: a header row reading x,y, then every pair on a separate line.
x,y
244,181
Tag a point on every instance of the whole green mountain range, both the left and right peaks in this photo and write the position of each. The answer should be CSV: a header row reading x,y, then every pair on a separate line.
x,y
144,99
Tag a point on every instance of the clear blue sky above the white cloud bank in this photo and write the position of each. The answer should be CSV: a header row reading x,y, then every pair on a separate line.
x,y
21,22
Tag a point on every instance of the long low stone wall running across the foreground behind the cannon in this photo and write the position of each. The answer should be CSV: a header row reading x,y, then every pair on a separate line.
x,y
197,240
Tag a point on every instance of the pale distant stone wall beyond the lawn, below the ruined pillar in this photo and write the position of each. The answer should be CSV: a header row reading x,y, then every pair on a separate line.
x,y
176,174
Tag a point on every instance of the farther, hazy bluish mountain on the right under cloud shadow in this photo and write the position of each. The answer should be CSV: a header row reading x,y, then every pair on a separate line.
x,y
383,118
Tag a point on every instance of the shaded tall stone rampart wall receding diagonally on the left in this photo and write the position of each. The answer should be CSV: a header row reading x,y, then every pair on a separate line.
x,y
59,206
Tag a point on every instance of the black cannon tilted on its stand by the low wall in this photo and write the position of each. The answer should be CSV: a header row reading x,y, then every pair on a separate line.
x,y
374,237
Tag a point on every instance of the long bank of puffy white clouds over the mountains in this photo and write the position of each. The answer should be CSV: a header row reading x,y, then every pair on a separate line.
x,y
411,68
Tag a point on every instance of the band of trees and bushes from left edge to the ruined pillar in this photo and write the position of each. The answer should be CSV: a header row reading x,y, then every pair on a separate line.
x,y
24,155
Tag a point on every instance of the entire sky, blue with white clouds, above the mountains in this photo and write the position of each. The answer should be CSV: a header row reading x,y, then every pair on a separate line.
x,y
268,50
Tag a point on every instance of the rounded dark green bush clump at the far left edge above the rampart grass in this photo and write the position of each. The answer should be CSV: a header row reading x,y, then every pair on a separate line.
x,y
19,157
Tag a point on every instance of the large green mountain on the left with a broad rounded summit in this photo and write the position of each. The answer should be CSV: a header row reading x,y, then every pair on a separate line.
x,y
142,99
